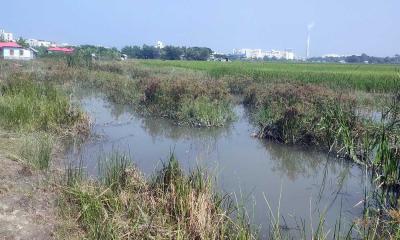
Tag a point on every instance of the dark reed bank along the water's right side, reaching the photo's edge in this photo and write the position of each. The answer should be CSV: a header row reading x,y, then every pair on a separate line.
x,y
316,116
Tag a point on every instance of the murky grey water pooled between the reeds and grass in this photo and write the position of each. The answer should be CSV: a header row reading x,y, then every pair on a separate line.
x,y
304,183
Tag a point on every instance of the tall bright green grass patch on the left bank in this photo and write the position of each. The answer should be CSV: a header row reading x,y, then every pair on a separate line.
x,y
26,105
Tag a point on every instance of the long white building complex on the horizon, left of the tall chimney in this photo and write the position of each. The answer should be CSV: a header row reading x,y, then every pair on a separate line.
x,y
261,54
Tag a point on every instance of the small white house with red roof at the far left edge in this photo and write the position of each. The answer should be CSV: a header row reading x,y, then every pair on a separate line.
x,y
13,51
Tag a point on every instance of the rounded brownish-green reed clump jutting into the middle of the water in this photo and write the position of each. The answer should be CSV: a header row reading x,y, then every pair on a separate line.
x,y
188,99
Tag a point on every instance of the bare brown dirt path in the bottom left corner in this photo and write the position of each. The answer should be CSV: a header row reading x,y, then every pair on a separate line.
x,y
27,203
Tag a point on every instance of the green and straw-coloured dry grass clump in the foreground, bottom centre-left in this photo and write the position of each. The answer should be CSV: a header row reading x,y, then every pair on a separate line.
x,y
170,205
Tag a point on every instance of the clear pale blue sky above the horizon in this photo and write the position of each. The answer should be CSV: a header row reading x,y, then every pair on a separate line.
x,y
340,26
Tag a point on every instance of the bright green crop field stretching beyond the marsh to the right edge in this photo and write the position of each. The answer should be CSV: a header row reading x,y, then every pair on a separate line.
x,y
370,78
